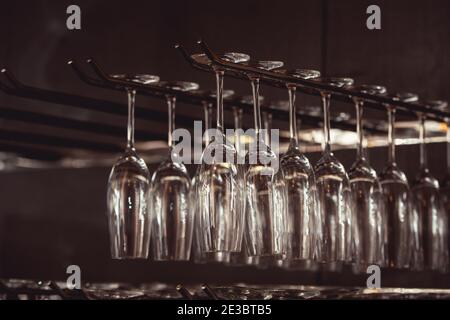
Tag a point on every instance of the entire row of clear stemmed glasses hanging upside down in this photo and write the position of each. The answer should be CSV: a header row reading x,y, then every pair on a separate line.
x,y
249,213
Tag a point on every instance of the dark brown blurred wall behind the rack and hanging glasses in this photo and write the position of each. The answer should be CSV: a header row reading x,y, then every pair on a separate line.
x,y
52,218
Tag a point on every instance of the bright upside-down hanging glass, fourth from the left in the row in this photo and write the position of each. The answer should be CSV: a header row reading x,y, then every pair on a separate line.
x,y
265,190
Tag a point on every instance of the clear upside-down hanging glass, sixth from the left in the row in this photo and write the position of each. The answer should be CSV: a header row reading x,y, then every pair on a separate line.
x,y
333,192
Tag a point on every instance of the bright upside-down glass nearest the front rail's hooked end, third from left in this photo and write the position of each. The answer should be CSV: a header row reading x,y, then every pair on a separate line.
x,y
220,190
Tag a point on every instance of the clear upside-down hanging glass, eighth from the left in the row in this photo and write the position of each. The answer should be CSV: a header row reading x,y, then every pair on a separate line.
x,y
396,206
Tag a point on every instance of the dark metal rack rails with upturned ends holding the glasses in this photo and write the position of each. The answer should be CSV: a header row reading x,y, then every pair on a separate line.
x,y
28,145
